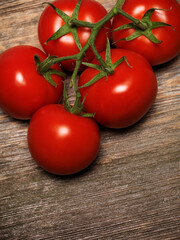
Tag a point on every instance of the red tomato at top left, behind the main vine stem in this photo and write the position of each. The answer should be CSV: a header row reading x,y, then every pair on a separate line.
x,y
50,22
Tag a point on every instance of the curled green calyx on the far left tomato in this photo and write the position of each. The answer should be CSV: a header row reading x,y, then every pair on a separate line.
x,y
44,69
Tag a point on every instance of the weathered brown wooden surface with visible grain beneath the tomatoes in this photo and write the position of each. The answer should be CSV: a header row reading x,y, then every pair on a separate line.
x,y
132,191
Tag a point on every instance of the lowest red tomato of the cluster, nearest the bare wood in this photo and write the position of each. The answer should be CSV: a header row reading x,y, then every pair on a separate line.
x,y
61,142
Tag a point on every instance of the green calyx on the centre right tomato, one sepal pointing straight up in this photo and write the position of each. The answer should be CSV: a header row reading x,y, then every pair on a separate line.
x,y
104,71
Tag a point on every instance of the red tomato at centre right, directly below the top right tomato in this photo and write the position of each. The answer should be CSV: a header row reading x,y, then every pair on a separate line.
x,y
121,99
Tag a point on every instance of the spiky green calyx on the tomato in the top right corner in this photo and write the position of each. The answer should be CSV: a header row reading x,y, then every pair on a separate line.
x,y
145,28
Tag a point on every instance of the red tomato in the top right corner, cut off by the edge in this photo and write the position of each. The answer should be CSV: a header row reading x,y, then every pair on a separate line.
x,y
155,53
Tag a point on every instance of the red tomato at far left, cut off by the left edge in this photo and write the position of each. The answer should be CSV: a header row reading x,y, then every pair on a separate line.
x,y
22,89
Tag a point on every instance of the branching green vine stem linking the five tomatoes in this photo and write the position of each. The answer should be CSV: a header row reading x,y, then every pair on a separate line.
x,y
95,28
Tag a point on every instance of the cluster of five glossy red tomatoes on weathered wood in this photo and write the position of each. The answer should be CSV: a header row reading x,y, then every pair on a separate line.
x,y
65,143
